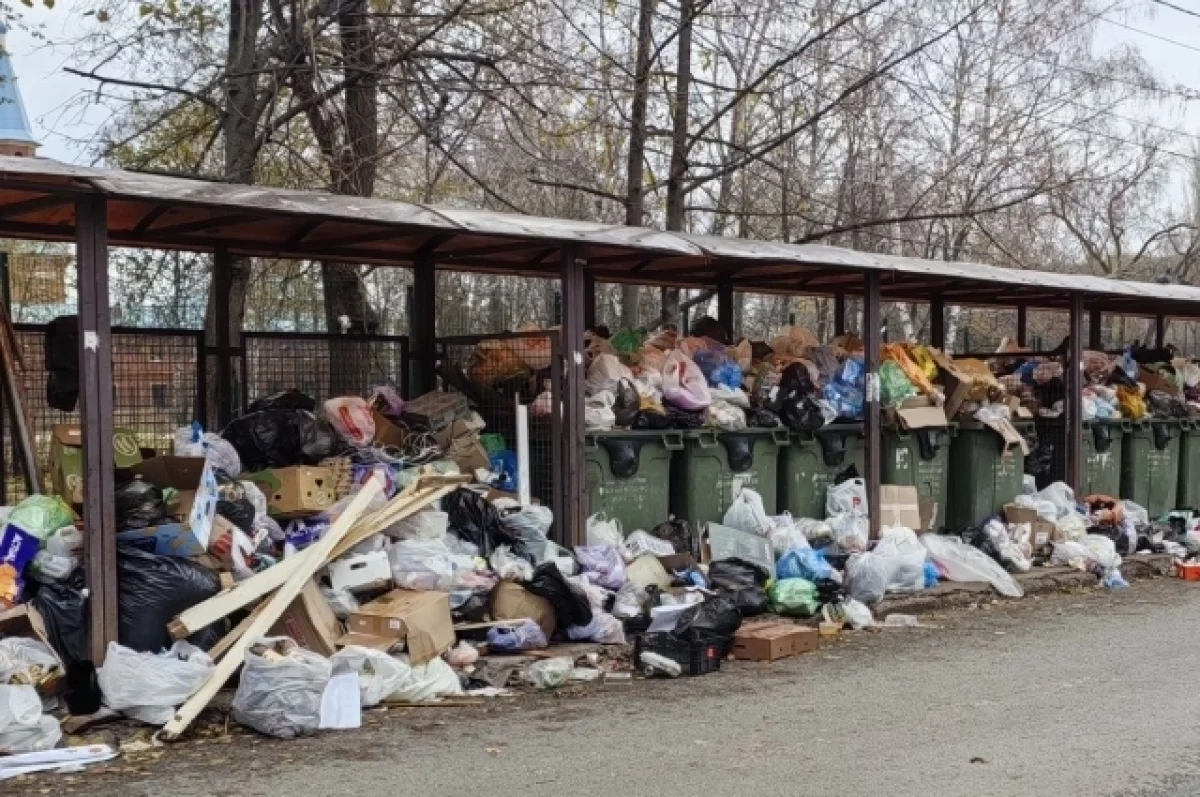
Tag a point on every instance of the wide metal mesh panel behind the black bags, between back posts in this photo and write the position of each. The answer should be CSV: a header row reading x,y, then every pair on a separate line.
x,y
322,365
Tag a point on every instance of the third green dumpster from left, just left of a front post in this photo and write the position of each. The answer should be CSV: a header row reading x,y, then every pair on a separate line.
x,y
812,463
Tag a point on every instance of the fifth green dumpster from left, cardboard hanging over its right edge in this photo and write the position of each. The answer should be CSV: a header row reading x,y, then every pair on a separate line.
x,y
987,472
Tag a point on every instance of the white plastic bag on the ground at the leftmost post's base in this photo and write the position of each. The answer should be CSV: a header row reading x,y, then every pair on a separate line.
x,y
149,687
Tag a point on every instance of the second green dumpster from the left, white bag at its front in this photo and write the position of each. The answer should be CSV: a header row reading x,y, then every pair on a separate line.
x,y
715,466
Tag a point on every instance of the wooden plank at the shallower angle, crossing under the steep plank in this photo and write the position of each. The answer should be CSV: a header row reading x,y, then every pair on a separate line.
x,y
263,584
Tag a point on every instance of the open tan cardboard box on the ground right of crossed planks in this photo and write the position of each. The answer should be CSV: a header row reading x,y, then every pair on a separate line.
x,y
421,619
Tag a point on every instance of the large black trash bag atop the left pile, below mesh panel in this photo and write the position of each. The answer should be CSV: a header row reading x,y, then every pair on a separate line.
x,y
280,439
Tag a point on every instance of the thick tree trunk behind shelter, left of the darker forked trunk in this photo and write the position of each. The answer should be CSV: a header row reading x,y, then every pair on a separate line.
x,y
239,128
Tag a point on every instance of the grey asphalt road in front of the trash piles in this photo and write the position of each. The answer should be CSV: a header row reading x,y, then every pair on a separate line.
x,y
1082,694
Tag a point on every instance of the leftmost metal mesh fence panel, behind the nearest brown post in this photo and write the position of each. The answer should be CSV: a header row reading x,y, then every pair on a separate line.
x,y
155,392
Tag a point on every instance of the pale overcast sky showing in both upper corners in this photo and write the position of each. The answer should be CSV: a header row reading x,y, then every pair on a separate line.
x,y
50,93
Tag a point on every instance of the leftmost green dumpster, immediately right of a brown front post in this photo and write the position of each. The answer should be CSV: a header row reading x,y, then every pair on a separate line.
x,y
628,476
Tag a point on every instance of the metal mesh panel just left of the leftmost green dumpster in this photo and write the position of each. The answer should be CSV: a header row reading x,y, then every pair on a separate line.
x,y
493,370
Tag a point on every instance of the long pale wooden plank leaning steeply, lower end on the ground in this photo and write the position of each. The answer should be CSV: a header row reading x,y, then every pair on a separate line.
x,y
272,613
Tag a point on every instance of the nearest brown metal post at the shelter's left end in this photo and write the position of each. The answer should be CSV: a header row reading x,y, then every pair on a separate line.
x,y
97,418
